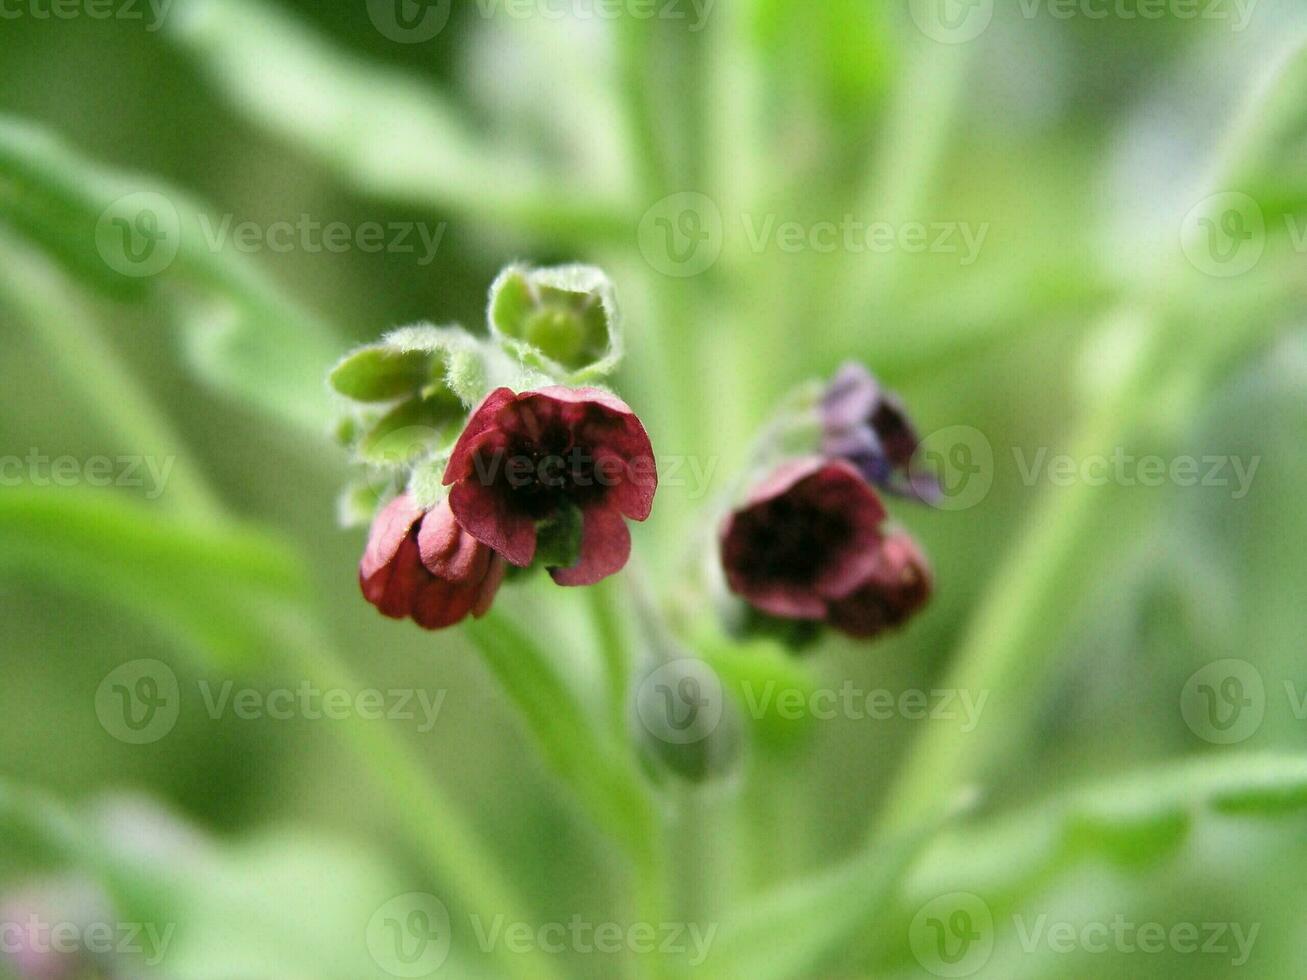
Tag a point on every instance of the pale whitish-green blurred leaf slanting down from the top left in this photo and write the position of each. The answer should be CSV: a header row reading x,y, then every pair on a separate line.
x,y
386,135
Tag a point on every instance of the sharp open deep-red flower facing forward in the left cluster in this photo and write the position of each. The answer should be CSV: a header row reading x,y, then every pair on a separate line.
x,y
531,458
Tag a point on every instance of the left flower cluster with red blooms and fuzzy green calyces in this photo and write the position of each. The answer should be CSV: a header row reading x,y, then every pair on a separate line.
x,y
537,474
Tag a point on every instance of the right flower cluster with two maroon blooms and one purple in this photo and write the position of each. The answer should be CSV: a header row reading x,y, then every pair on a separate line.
x,y
810,544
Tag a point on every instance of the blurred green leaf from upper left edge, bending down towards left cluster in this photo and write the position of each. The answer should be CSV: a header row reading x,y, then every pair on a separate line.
x,y
127,236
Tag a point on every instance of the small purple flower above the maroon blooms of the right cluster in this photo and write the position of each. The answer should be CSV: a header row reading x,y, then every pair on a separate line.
x,y
869,427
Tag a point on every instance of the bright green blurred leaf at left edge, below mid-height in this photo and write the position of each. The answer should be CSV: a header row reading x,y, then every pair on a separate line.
x,y
212,587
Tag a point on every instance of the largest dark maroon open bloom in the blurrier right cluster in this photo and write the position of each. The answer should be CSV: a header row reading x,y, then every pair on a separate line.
x,y
806,539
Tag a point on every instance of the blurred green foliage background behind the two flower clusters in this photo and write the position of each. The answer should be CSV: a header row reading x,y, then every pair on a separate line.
x,y
1099,224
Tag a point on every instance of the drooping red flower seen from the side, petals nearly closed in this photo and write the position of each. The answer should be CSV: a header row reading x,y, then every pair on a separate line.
x,y
424,565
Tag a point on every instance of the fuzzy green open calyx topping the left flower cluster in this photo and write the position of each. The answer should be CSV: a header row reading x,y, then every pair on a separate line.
x,y
563,321
